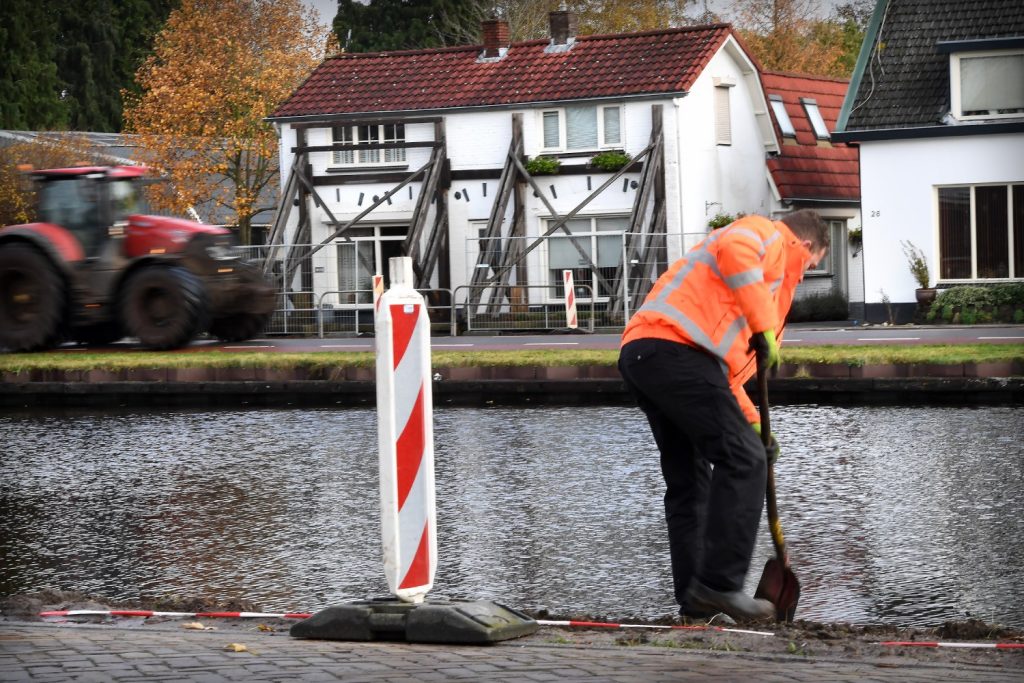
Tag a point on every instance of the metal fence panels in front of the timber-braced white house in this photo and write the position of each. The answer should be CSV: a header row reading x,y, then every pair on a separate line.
x,y
329,291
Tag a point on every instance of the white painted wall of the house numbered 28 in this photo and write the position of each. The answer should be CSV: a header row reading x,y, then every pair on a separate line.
x,y
899,199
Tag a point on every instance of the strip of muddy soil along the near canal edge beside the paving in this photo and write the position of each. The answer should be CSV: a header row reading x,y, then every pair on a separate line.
x,y
833,642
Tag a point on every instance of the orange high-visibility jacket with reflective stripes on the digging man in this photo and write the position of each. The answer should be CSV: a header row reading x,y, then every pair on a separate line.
x,y
738,282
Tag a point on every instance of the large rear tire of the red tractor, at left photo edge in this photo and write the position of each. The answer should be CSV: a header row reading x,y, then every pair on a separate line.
x,y
33,301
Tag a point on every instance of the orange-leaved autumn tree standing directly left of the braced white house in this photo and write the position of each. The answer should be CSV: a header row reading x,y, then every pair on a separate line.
x,y
219,70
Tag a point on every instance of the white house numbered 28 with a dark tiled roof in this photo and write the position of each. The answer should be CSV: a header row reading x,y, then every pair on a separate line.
x,y
936,106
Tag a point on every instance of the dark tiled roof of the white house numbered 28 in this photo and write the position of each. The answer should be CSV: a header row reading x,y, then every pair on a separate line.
x,y
904,80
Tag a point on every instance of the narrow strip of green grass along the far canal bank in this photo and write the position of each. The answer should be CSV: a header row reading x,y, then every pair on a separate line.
x,y
848,356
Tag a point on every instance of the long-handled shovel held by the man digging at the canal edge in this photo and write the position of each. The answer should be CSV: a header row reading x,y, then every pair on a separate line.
x,y
779,585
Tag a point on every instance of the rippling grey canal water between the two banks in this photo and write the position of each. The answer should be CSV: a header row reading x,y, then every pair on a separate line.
x,y
901,516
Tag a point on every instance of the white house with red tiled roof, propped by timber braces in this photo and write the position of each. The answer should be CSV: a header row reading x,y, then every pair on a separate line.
x,y
431,154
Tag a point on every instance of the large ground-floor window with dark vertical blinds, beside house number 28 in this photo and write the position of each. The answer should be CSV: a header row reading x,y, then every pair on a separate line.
x,y
982,232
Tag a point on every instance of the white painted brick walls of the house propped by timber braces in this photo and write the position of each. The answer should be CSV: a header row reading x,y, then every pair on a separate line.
x,y
703,179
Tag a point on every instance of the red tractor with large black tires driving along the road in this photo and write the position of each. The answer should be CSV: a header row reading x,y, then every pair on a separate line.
x,y
98,268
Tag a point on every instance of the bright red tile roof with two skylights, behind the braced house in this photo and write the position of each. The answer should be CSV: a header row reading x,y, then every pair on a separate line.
x,y
805,170
